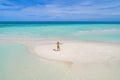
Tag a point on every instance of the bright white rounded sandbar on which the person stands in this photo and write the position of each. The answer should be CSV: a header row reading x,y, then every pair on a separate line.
x,y
80,52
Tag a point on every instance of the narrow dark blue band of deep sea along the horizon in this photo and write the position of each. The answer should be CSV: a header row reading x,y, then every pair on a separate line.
x,y
60,22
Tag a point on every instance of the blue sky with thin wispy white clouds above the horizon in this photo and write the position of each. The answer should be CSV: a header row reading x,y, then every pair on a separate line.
x,y
59,10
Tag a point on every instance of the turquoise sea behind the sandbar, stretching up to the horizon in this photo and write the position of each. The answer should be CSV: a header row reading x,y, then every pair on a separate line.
x,y
76,31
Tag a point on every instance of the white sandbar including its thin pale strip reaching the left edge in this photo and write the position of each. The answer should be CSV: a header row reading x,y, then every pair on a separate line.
x,y
71,51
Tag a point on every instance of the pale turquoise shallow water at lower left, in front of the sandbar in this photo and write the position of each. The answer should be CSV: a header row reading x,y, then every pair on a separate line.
x,y
16,63
